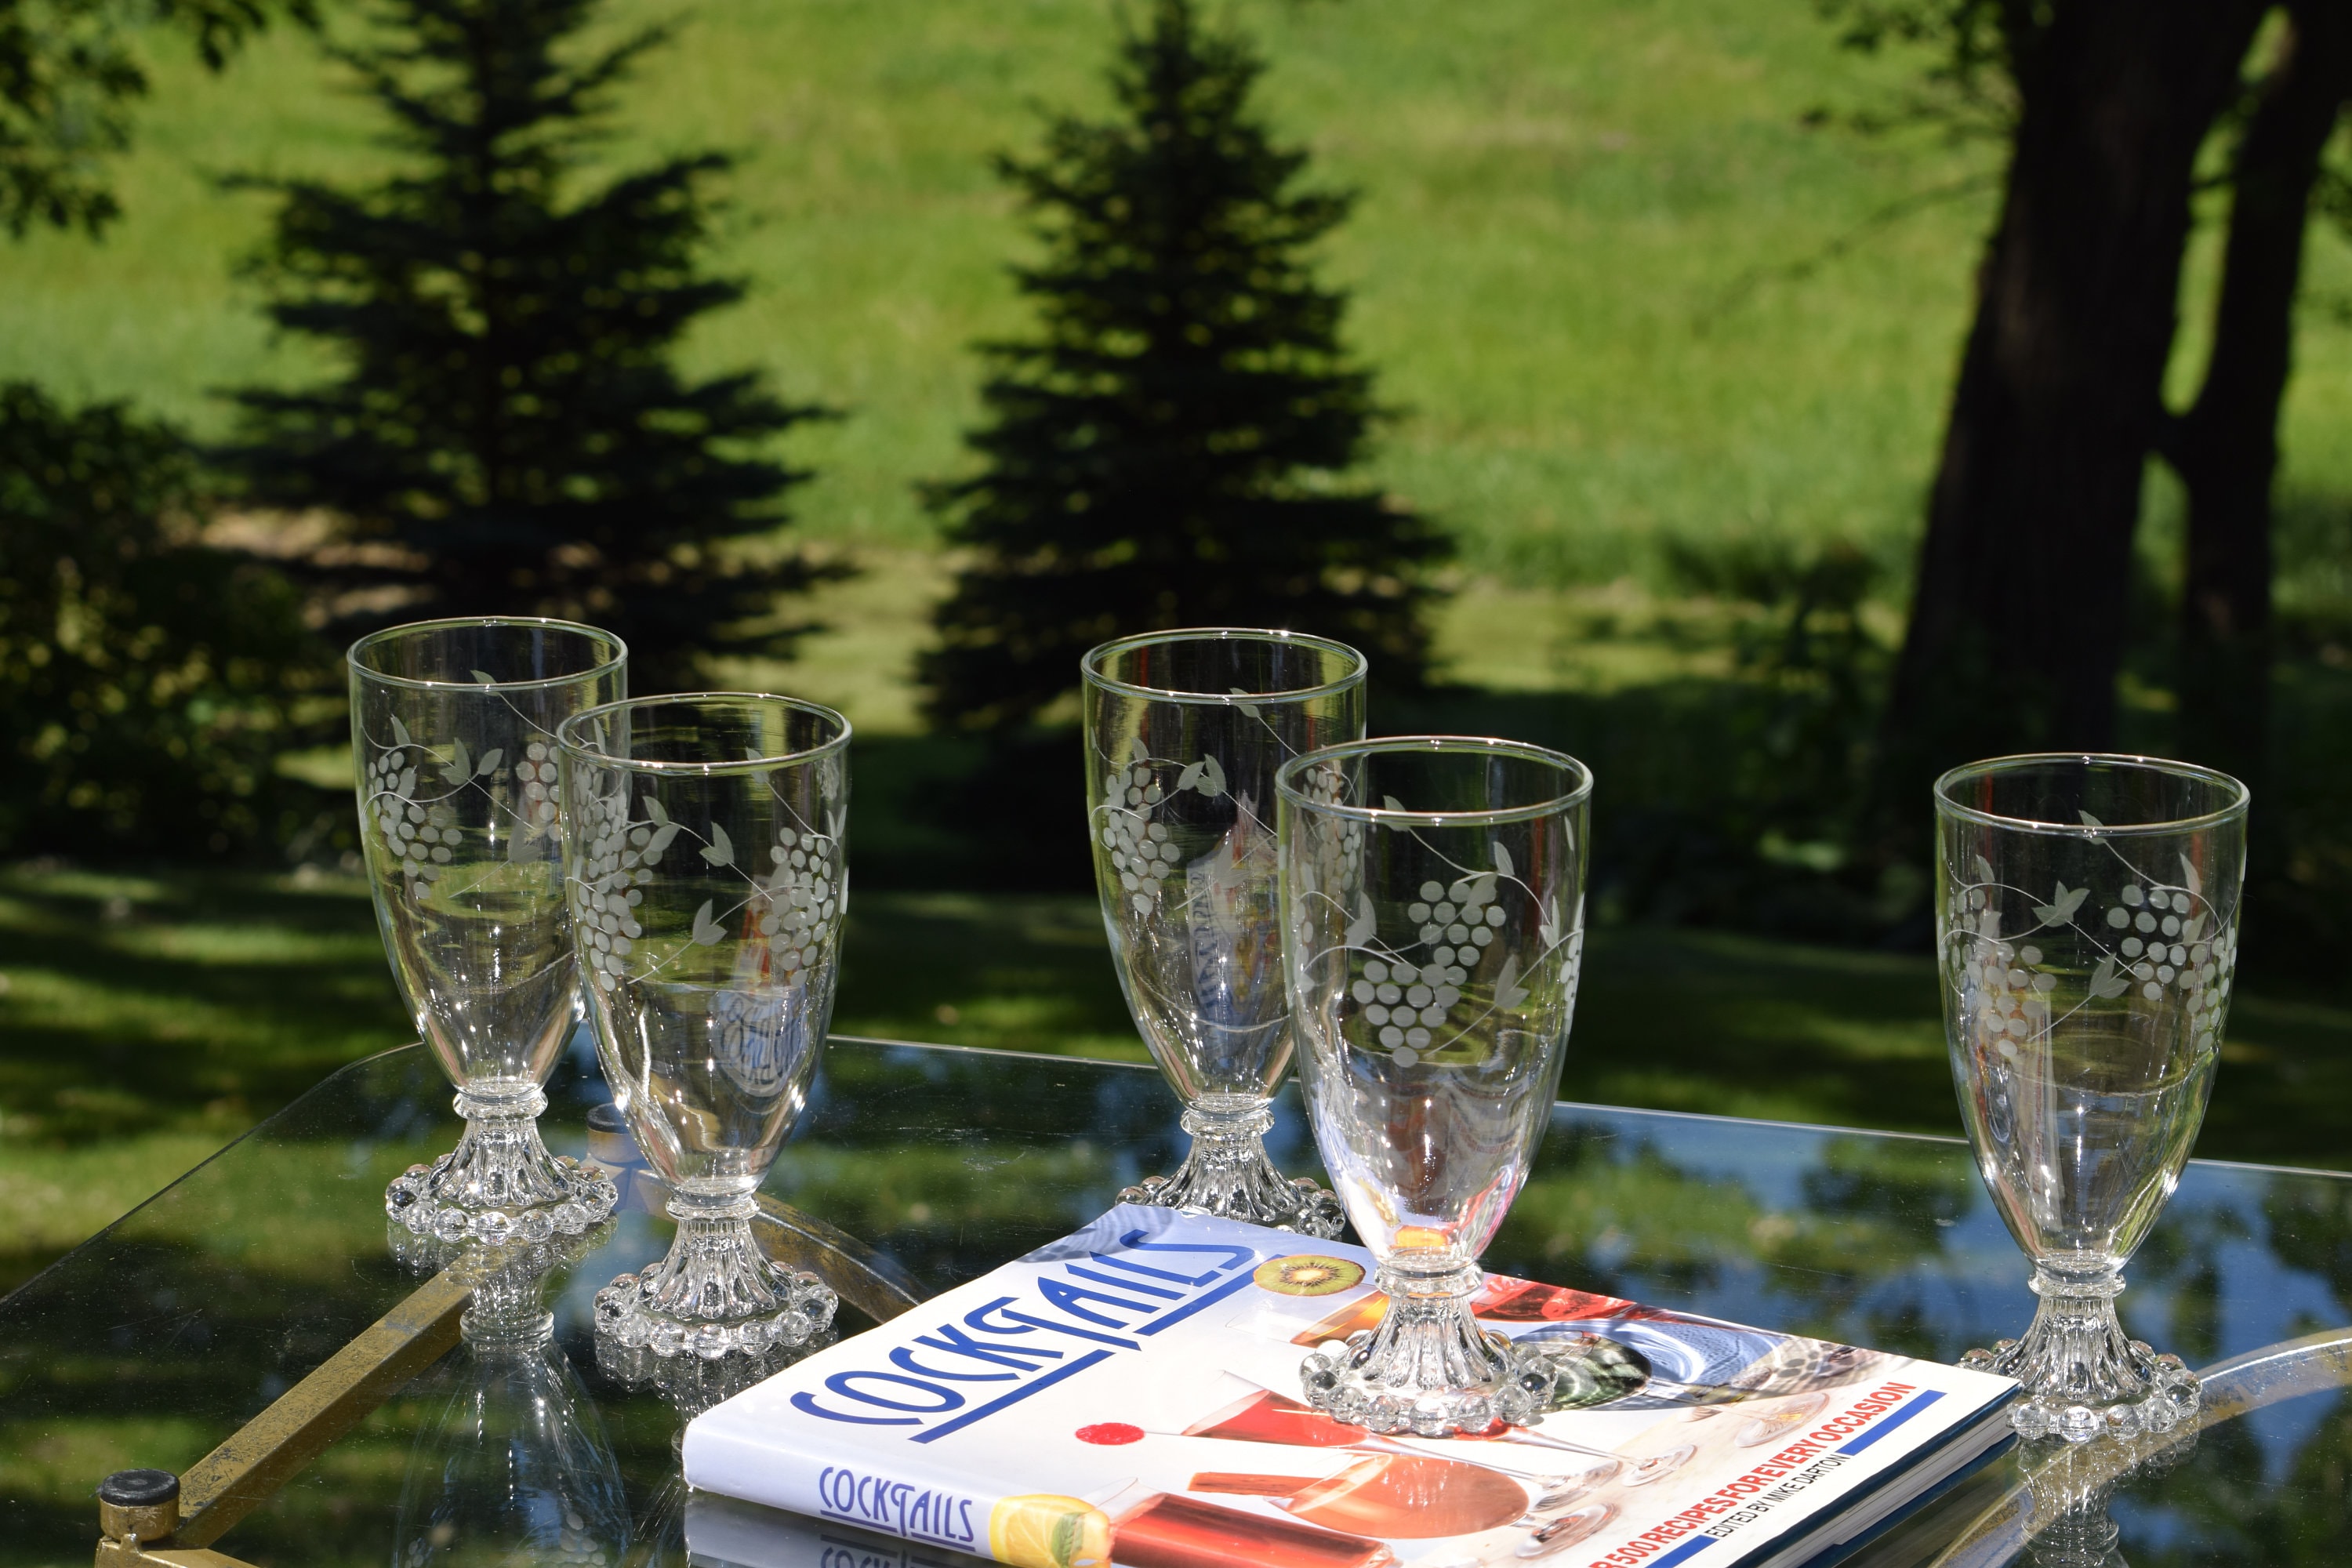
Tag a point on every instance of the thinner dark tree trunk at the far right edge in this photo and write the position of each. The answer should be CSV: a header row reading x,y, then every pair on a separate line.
x,y
2226,448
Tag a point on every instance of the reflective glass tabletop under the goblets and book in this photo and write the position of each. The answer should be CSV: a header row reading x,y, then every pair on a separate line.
x,y
168,1332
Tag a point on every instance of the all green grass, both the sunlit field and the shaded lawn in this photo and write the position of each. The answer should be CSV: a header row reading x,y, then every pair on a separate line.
x,y
1579,269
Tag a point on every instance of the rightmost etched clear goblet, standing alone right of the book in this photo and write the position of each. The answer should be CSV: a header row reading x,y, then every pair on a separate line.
x,y
2087,944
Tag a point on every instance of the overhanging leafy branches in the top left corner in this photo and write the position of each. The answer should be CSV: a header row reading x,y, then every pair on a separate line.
x,y
67,83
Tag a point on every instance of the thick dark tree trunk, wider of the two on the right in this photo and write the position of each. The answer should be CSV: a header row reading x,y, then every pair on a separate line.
x,y
2019,619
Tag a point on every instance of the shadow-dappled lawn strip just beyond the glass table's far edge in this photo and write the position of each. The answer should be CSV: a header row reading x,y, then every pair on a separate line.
x,y
149,1019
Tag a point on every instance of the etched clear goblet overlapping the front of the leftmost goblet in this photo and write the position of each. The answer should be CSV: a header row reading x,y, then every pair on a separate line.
x,y
704,859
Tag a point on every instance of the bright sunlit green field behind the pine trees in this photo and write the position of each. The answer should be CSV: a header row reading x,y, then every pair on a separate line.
x,y
1577,255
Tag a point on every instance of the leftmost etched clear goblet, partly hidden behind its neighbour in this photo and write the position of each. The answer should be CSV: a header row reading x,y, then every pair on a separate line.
x,y
460,819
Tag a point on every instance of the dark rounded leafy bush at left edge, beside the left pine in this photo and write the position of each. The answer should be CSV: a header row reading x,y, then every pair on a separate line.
x,y
147,681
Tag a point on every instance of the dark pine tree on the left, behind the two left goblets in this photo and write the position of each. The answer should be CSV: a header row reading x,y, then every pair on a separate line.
x,y
509,434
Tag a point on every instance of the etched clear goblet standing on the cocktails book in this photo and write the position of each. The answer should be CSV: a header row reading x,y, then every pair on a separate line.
x,y
1434,937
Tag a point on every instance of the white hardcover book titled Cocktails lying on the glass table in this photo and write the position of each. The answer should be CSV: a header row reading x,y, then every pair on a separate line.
x,y
1130,1395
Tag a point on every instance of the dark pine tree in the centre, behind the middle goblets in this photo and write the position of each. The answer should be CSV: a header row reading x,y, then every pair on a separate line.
x,y
1170,448
